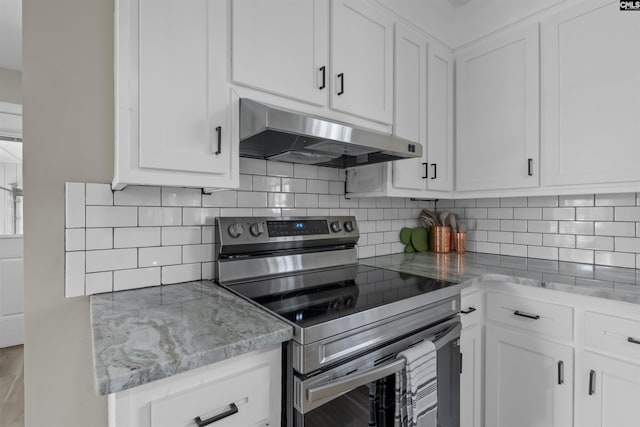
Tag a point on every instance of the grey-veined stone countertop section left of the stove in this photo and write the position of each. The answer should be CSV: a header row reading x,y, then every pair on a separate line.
x,y
147,334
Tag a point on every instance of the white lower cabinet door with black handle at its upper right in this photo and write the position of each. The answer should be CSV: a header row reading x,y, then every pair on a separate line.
x,y
524,387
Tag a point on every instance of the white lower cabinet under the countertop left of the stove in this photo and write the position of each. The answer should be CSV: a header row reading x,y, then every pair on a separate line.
x,y
243,391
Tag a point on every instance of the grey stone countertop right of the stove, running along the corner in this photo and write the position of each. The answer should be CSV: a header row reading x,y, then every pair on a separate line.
x,y
619,284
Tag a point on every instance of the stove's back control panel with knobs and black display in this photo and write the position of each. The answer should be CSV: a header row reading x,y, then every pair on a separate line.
x,y
331,230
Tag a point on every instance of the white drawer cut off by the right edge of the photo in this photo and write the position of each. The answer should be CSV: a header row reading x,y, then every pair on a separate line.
x,y
613,334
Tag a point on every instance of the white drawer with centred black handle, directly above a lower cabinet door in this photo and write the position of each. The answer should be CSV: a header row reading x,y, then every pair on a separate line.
x,y
536,316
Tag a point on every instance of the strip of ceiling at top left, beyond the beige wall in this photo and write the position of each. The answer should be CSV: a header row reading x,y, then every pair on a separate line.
x,y
11,34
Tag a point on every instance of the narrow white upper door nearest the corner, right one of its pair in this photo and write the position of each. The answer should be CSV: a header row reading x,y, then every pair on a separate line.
x,y
440,118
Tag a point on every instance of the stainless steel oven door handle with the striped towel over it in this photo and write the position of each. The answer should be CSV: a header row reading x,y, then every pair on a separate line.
x,y
353,381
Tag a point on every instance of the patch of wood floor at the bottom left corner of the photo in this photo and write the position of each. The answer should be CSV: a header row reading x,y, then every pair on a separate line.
x,y
12,386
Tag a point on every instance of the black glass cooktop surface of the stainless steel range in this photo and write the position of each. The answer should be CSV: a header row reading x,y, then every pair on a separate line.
x,y
312,298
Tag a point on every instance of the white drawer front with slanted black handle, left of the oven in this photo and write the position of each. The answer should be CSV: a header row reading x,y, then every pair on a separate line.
x,y
248,390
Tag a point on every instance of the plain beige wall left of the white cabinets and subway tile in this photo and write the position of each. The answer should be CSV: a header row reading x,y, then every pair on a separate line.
x,y
68,136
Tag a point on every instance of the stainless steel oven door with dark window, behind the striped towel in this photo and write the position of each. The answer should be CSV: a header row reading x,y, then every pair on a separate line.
x,y
361,392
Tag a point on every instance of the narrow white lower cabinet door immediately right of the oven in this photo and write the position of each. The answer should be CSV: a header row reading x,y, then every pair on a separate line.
x,y
471,377
